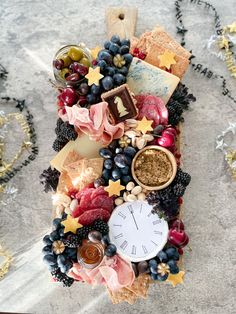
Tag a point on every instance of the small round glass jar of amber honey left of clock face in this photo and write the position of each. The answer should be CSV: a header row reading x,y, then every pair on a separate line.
x,y
90,254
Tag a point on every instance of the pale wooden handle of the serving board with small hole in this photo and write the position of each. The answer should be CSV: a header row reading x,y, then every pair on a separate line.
x,y
121,21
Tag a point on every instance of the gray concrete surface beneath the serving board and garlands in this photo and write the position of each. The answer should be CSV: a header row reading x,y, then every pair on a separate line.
x,y
31,32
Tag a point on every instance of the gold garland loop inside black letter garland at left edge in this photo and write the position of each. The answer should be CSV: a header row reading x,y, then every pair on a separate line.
x,y
26,143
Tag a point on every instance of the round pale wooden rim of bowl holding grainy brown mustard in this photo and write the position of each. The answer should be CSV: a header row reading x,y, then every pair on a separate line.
x,y
170,156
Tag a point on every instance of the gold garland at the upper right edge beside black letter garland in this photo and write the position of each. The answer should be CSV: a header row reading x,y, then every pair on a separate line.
x,y
224,44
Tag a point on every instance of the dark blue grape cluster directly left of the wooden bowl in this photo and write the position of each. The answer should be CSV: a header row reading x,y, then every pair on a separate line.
x,y
117,163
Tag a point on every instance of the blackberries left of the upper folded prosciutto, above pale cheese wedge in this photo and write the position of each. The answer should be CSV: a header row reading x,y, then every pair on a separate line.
x,y
65,132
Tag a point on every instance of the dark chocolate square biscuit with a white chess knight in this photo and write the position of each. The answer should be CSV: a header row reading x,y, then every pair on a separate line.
x,y
121,104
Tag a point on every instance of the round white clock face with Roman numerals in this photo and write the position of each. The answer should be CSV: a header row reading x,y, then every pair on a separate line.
x,y
137,233
